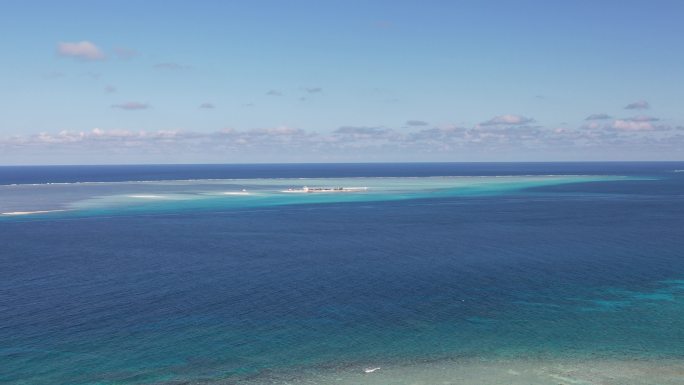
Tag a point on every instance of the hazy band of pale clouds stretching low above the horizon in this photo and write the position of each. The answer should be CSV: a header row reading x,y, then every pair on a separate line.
x,y
596,135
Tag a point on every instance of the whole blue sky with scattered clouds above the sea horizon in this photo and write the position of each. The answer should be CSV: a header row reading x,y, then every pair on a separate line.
x,y
324,81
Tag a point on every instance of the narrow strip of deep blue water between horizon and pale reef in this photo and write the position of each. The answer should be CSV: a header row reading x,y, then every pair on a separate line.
x,y
118,173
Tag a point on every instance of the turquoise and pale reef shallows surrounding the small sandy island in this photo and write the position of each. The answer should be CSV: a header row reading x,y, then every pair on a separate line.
x,y
116,198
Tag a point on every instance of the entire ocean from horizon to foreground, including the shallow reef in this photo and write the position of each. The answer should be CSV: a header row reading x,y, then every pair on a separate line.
x,y
422,273
